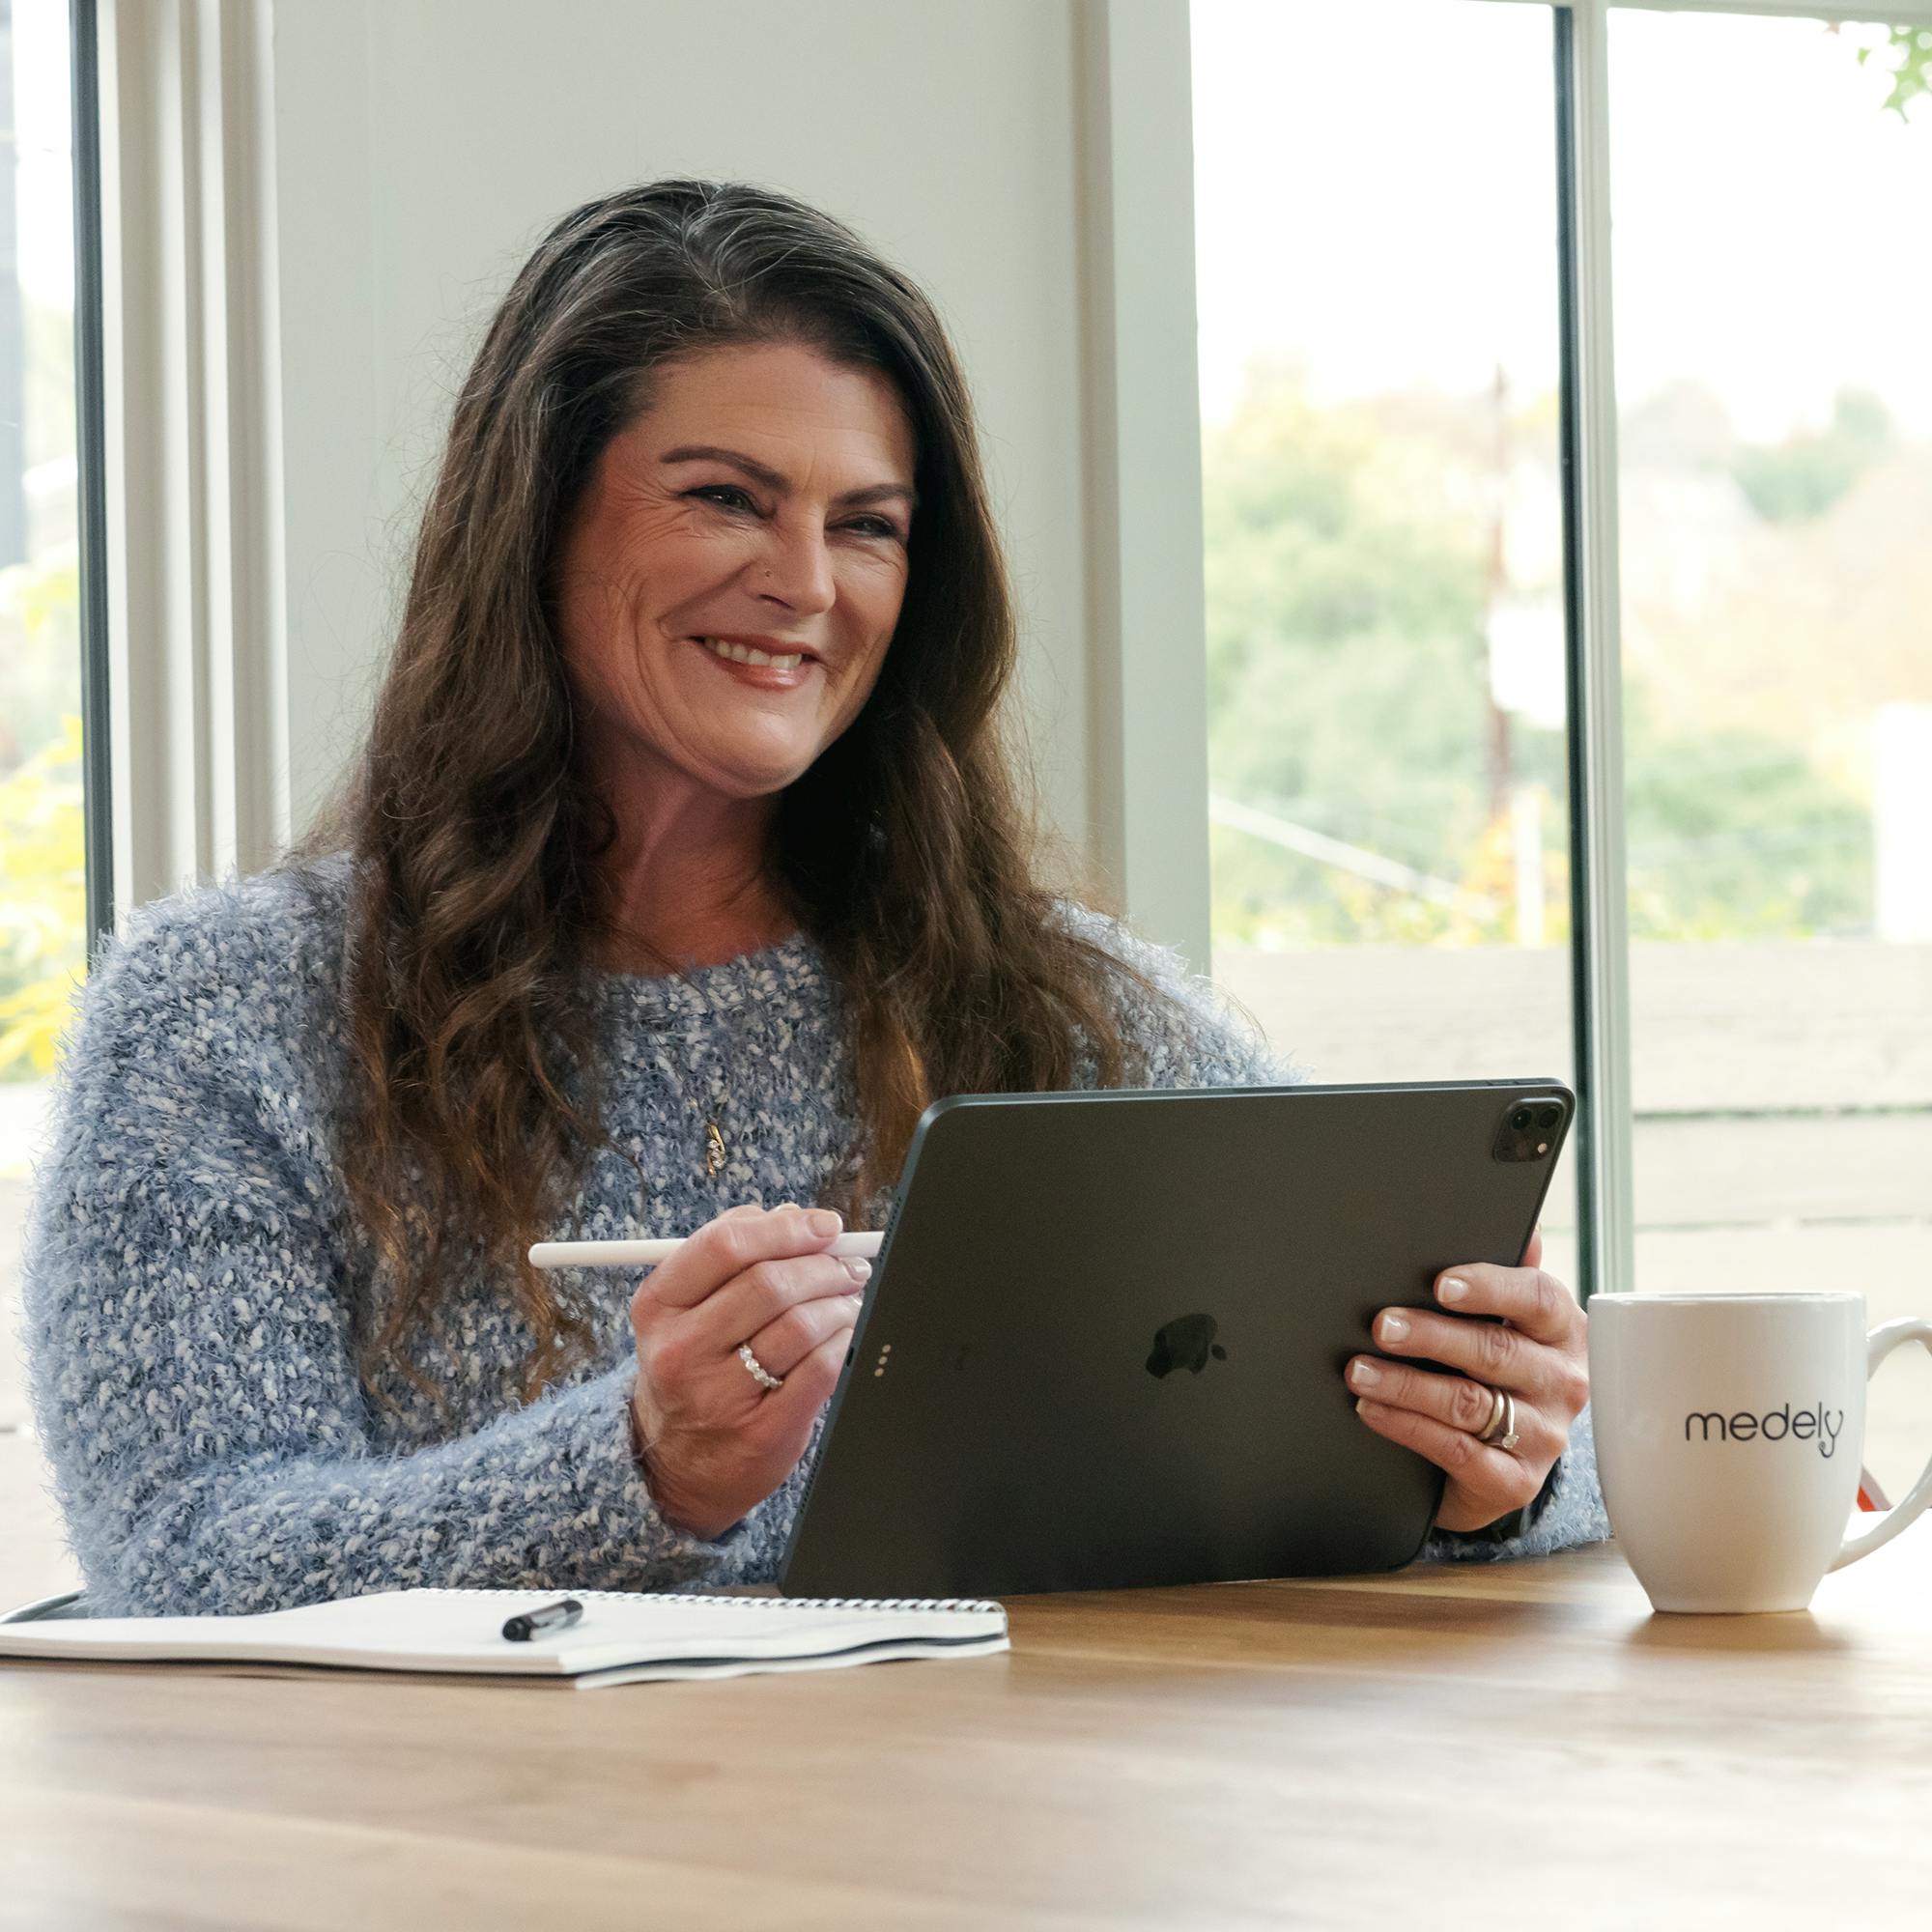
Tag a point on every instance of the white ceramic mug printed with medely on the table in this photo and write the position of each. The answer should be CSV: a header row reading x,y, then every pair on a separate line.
x,y
1730,1431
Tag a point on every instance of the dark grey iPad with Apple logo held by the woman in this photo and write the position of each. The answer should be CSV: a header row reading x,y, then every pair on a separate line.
x,y
1102,1346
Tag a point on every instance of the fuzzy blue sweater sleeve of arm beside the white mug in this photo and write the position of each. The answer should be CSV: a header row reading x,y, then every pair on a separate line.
x,y
1208,1042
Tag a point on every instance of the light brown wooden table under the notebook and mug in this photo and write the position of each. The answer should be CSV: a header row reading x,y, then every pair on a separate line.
x,y
1506,1747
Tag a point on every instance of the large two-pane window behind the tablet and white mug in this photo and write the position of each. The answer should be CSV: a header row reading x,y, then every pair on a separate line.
x,y
1378,277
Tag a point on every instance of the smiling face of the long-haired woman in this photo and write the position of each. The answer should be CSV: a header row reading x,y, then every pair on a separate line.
x,y
762,501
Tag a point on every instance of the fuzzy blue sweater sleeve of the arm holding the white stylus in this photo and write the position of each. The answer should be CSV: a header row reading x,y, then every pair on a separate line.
x,y
190,1353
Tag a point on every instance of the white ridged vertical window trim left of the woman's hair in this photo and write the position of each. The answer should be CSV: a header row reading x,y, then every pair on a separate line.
x,y
198,656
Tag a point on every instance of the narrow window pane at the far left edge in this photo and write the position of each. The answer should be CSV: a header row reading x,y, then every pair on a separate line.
x,y
43,940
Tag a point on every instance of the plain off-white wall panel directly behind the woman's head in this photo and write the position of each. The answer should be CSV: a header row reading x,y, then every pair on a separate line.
x,y
422,148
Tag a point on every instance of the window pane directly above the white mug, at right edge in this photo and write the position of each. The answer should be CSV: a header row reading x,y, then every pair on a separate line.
x,y
1775,312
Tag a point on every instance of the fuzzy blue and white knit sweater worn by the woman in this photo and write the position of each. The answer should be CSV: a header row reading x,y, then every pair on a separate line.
x,y
192,1263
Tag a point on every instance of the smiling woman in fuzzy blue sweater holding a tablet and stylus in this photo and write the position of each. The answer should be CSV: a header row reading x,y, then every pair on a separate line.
x,y
683,868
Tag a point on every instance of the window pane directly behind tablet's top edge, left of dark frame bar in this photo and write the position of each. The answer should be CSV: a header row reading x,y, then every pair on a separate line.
x,y
1377,221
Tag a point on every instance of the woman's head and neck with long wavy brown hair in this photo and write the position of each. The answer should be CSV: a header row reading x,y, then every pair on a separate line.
x,y
700,420
